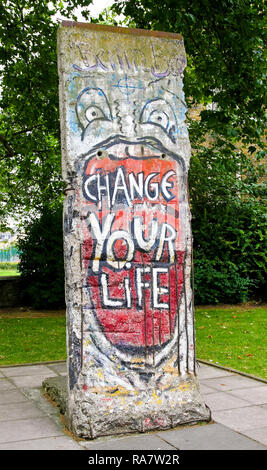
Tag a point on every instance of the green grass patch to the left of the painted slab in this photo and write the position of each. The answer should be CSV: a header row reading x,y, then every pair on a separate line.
x,y
25,340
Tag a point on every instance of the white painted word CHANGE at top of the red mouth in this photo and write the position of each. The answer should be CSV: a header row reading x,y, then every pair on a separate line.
x,y
115,187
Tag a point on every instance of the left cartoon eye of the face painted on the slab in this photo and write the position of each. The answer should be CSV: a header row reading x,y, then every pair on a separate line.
x,y
92,104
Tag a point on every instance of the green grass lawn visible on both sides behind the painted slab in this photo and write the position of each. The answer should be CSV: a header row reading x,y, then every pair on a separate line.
x,y
230,336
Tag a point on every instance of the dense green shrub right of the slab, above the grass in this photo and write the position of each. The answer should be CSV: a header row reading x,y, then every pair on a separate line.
x,y
230,254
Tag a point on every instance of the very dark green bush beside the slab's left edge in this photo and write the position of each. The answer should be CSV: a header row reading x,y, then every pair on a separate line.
x,y
41,265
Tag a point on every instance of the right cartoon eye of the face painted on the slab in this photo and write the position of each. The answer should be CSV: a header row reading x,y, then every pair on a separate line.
x,y
160,113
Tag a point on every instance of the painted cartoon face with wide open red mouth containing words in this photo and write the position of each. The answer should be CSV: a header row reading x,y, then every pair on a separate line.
x,y
132,192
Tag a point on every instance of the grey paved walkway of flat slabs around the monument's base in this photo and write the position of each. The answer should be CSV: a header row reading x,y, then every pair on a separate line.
x,y
238,405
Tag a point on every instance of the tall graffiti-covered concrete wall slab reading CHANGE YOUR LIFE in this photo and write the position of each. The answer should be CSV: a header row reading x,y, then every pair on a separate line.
x,y
127,231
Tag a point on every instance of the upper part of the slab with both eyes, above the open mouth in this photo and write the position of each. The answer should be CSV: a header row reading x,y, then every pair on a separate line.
x,y
120,84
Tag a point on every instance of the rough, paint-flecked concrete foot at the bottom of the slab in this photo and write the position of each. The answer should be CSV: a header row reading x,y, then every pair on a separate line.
x,y
110,416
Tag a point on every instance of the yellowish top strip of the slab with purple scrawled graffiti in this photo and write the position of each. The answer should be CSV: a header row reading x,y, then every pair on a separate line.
x,y
108,48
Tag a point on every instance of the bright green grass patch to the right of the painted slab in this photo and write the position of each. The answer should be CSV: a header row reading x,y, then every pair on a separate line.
x,y
233,337
